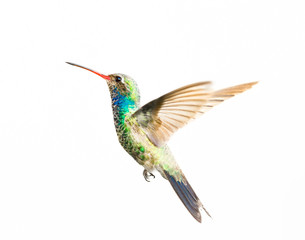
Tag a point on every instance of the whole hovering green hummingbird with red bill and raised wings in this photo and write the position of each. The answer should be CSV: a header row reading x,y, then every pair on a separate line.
x,y
144,131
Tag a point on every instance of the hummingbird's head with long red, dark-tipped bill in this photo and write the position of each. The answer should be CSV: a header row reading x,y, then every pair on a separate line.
x,y
119,85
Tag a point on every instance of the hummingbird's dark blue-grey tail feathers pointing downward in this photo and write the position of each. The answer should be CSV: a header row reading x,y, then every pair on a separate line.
x,y
187,196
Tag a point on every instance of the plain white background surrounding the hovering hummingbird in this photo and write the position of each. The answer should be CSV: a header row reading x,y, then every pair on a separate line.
x,y
63,174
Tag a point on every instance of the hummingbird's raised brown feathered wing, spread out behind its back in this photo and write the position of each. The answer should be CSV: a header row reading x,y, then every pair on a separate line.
x,y
163,116
